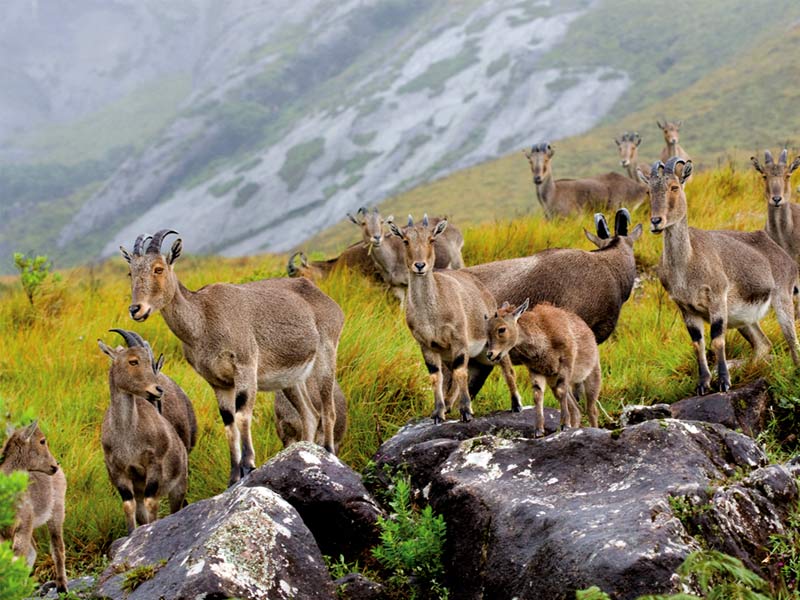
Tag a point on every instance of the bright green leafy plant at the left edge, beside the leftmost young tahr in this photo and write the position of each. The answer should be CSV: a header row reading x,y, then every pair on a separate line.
x,y
15,581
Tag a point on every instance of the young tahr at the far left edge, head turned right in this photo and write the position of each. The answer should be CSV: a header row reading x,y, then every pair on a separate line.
x,y
42,502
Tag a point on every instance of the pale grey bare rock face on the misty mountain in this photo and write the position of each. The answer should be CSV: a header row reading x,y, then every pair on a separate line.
x,y
299,116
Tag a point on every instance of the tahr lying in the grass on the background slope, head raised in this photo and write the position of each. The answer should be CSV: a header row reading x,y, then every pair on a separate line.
x,y
565,196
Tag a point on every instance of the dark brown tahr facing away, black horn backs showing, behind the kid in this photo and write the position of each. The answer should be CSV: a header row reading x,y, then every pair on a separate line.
x,y
593,285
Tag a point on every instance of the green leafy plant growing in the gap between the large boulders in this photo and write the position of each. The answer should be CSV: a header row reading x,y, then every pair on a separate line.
x,y
411,546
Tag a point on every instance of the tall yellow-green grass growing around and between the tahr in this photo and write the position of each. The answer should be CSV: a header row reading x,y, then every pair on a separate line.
x,y
51,368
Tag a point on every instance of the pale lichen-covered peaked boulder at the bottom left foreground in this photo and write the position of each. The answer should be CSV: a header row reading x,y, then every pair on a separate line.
x,y
245,543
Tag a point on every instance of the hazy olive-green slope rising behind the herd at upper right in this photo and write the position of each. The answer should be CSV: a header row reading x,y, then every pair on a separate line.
x,y
738,109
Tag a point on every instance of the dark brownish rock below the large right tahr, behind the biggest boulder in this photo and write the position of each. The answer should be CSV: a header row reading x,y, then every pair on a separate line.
x,y
744,408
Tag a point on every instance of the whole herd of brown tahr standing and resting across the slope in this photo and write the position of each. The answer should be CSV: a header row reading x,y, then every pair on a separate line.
x,y
282,335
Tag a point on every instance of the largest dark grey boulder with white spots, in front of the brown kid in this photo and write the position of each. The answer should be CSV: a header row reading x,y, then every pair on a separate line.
x,y
541,518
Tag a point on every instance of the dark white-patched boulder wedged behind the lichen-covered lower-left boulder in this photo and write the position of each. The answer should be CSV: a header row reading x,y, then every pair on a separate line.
x,y
329,495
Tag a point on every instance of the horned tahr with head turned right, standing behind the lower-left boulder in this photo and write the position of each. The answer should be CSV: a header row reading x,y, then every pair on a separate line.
x,y
145,458
